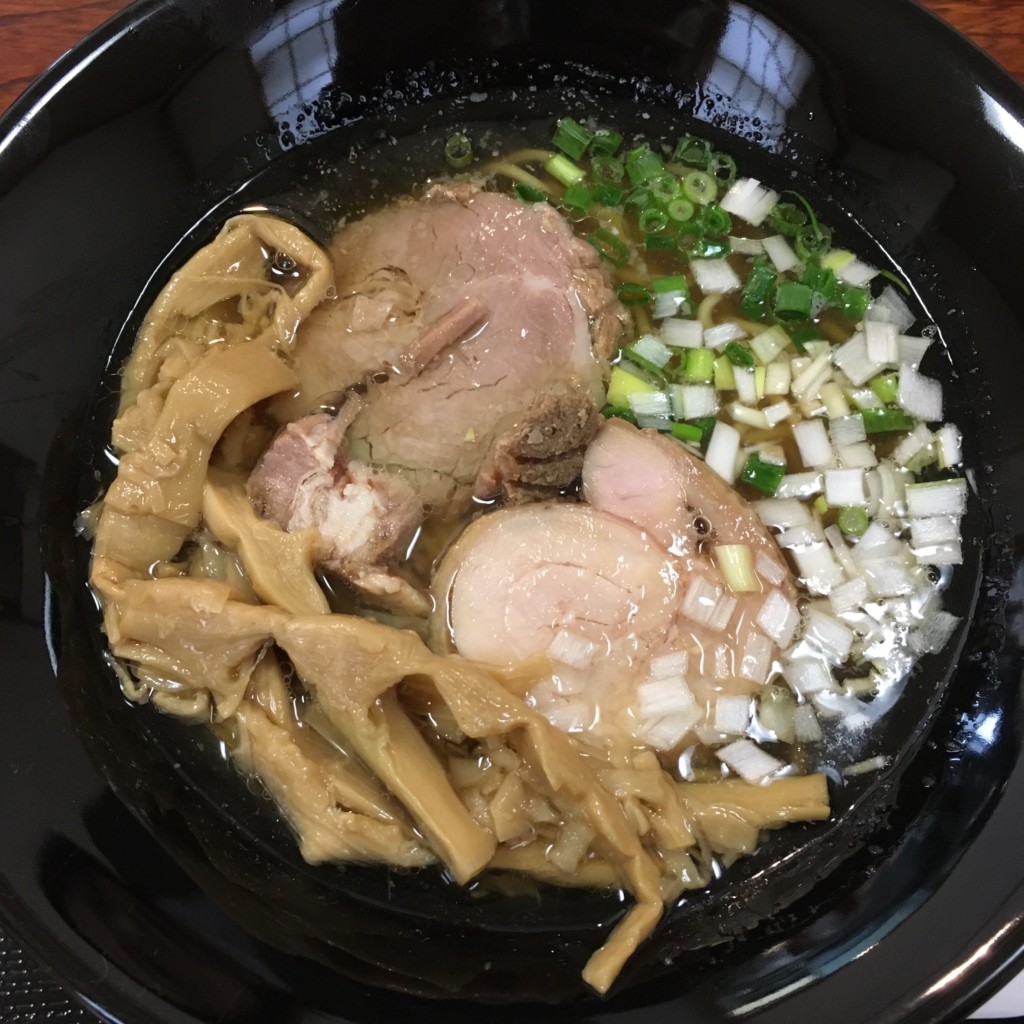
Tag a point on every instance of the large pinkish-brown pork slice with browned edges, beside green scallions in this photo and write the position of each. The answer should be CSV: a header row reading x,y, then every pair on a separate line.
x,y
456,403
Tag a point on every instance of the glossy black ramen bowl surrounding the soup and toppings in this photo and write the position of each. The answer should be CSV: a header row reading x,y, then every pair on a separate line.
x,y
144,871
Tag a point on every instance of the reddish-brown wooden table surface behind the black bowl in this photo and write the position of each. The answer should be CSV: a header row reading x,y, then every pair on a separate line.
x,y
34,33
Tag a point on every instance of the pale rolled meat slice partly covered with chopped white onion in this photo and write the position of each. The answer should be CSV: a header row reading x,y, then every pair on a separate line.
x,y
624,594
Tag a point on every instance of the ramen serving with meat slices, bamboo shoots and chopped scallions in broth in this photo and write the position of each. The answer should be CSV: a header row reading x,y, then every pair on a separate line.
x,y
548,523
